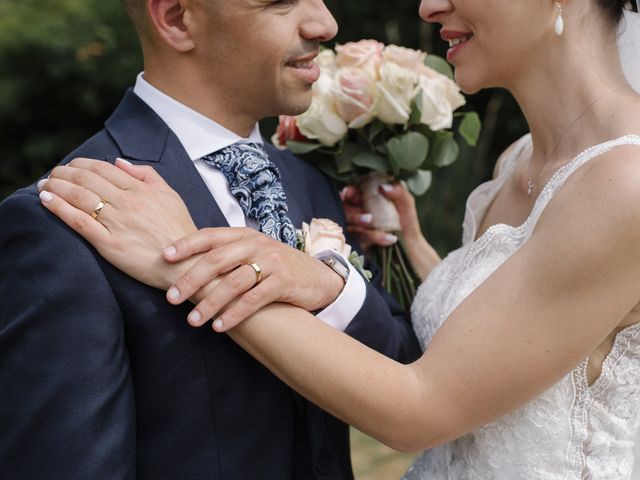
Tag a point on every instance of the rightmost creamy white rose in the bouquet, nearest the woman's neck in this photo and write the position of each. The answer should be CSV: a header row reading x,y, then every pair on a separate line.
x,y
440,97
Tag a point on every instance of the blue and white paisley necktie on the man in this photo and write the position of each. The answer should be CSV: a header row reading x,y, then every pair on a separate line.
x,y
255,182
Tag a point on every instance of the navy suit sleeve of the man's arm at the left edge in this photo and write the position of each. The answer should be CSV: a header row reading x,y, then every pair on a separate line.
x,y
66,402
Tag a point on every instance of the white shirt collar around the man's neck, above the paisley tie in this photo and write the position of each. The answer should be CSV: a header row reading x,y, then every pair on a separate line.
x,y
198,134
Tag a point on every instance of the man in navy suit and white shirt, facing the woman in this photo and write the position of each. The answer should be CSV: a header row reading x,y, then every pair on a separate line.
x,y
100,377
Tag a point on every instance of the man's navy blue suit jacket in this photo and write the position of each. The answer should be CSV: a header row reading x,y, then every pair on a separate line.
x,y
100,378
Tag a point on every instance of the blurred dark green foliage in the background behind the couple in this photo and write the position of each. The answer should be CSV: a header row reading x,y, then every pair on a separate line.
x,y
65,64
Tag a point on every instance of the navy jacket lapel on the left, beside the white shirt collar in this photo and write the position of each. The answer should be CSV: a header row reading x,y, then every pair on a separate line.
x,y
144,139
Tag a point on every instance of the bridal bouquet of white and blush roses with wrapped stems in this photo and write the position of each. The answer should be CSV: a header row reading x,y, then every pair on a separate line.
x,y
381,113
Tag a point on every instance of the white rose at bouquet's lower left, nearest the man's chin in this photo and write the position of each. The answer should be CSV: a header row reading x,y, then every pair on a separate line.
x,y
321,122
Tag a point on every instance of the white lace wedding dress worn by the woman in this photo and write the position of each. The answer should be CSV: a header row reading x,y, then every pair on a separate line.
x,y
573,431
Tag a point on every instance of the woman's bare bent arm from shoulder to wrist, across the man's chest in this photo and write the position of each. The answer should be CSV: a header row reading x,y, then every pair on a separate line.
x,y
545,310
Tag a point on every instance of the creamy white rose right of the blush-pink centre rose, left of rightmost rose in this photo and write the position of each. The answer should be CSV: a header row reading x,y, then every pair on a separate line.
x,y
394,92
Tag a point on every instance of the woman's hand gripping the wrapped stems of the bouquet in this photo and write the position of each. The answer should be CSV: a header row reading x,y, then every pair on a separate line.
x,y
422,255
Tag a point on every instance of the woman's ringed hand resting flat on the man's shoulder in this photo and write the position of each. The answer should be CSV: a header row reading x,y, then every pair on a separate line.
x,y
141,215
